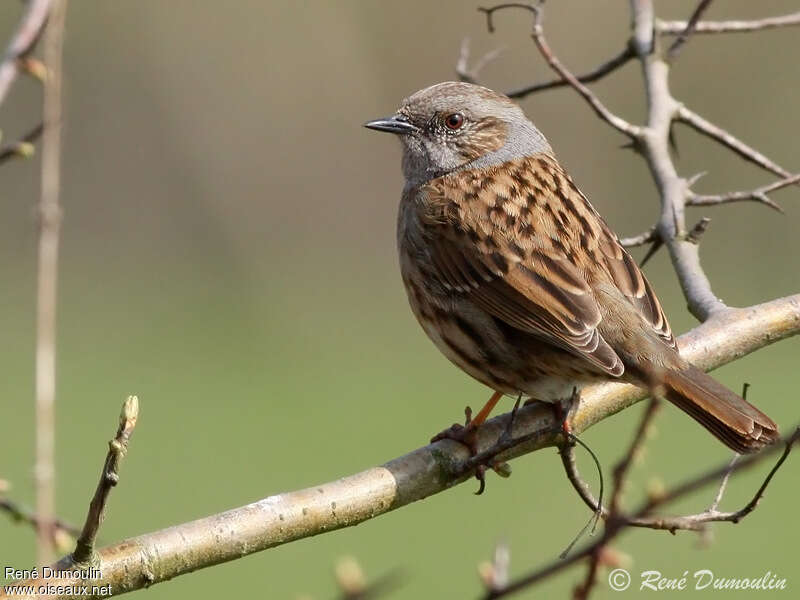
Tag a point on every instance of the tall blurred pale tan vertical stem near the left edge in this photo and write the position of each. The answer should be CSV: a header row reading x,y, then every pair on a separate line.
x,y
47,284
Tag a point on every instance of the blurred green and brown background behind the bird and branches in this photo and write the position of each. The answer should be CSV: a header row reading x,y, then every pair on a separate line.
x,y
228,254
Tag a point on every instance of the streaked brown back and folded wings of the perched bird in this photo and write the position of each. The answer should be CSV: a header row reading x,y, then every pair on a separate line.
x,y
518,241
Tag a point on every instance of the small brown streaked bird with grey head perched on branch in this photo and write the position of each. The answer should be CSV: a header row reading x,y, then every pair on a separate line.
x,y
519,281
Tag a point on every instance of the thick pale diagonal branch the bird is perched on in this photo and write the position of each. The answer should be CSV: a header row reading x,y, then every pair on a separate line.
x,y
276,520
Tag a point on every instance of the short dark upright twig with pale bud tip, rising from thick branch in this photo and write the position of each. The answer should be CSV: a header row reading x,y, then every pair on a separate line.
x,y
84,548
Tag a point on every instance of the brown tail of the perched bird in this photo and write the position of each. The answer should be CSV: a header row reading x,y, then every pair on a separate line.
x,y
734,421
